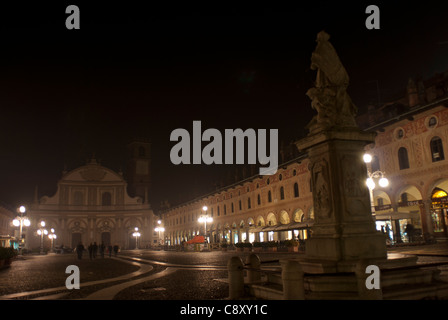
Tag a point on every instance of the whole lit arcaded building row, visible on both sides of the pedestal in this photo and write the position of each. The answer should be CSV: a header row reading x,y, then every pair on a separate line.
x,y
410,149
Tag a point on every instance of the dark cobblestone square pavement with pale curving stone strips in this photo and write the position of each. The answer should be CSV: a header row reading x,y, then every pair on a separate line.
x,y
154,275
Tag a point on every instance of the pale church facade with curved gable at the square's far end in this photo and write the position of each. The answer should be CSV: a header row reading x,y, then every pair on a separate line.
x,y
92,204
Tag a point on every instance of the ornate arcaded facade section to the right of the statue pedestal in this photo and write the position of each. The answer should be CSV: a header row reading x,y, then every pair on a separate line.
x,y
410,148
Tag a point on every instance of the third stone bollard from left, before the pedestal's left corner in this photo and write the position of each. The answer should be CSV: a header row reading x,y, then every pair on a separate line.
x,y
292,277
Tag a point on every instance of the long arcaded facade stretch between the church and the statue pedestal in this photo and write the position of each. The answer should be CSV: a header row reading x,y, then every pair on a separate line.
x,y
257,209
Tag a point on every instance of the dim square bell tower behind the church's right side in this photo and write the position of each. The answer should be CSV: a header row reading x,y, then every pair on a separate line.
x,y
139,168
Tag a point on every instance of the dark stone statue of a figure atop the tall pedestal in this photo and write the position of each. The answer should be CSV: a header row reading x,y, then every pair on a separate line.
x,y
329,96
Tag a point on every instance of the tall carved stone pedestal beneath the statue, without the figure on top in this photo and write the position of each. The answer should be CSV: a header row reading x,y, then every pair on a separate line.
x,y
343,228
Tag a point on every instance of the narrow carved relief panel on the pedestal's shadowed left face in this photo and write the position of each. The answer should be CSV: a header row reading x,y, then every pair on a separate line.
x,y
321,190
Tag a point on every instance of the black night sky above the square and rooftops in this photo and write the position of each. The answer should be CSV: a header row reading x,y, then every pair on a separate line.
x,y
135,71
